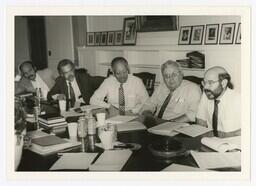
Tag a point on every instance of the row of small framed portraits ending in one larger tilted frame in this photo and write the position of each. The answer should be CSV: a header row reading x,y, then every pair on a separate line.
x,y
127,36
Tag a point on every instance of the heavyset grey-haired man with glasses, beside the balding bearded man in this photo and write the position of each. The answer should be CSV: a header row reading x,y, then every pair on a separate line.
x,y
176,99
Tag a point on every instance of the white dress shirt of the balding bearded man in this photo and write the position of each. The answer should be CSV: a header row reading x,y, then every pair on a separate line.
x,y
229,111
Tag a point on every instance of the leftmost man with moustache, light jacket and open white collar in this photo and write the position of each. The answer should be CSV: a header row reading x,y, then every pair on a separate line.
x,y
32,79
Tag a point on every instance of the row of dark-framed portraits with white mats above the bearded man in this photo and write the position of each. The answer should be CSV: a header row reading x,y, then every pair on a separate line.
x,y
193,35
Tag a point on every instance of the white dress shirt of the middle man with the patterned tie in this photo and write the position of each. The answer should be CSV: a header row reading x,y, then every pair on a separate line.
x,y
135,93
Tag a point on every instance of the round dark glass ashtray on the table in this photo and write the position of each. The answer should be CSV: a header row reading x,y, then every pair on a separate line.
x,y
167,148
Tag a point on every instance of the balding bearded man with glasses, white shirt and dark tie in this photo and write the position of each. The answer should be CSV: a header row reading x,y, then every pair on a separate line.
x,y
219,106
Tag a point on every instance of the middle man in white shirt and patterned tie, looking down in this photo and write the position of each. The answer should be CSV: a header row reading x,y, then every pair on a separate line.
x,y
125,92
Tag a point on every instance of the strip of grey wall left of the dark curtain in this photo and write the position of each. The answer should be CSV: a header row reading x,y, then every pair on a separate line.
x,y
21,41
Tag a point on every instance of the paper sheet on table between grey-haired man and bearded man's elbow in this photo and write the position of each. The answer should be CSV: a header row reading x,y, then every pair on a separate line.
x,y
193,130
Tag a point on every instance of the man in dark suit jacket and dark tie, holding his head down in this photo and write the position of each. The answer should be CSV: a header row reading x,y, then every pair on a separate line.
x,y
73,84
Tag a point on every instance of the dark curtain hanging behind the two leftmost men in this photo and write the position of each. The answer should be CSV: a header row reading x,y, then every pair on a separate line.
x,y
37,38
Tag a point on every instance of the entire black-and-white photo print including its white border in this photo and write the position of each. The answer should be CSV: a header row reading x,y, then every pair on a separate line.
x,y
168,104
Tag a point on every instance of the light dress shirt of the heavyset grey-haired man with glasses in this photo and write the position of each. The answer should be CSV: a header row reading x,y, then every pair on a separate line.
x,y
184,100
